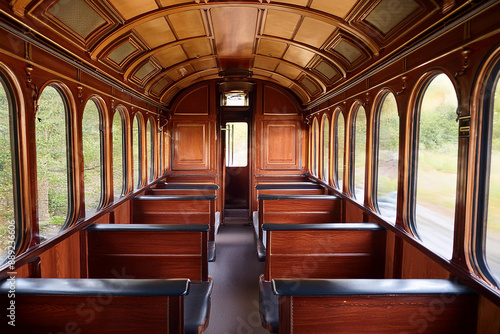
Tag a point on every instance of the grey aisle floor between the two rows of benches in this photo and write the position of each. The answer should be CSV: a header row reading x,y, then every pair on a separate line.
x,y
235,298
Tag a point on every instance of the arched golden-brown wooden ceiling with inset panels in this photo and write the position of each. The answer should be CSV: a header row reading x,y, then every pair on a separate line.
x,y
163,46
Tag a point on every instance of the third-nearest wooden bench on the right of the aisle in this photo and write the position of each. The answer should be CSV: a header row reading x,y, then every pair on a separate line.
x,y
294,209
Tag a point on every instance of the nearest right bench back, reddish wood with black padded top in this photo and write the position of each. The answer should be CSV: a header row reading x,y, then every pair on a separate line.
x,y
392,306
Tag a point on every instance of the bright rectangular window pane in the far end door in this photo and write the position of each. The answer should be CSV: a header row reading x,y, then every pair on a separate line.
x,y
236,144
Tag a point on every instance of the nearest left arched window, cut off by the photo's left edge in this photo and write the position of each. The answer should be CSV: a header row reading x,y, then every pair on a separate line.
x,y
9,223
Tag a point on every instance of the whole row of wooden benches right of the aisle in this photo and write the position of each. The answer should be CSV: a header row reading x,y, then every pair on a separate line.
x,y
325,276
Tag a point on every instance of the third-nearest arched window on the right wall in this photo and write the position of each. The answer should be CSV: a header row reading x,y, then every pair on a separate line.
x,y
387,153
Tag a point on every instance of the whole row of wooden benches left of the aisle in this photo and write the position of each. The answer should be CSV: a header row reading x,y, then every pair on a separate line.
x,y
140,277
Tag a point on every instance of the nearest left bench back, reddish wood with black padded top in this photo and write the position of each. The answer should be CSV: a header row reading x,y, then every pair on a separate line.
x,y
94,306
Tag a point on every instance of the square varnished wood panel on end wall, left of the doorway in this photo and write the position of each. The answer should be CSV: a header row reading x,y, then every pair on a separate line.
x,y
191,145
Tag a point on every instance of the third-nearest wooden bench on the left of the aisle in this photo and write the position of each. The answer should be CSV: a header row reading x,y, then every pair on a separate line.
x,y
177,209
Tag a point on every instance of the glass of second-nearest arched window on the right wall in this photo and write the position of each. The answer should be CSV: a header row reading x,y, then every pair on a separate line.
x,y
437,165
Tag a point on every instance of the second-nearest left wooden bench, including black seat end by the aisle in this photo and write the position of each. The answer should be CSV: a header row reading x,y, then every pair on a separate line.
x,y
152,251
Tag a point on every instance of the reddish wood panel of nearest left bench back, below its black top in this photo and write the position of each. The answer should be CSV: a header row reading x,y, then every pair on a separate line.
x,y
93,314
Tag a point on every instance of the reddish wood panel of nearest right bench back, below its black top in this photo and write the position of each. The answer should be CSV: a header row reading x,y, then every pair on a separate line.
x,y
384,314
